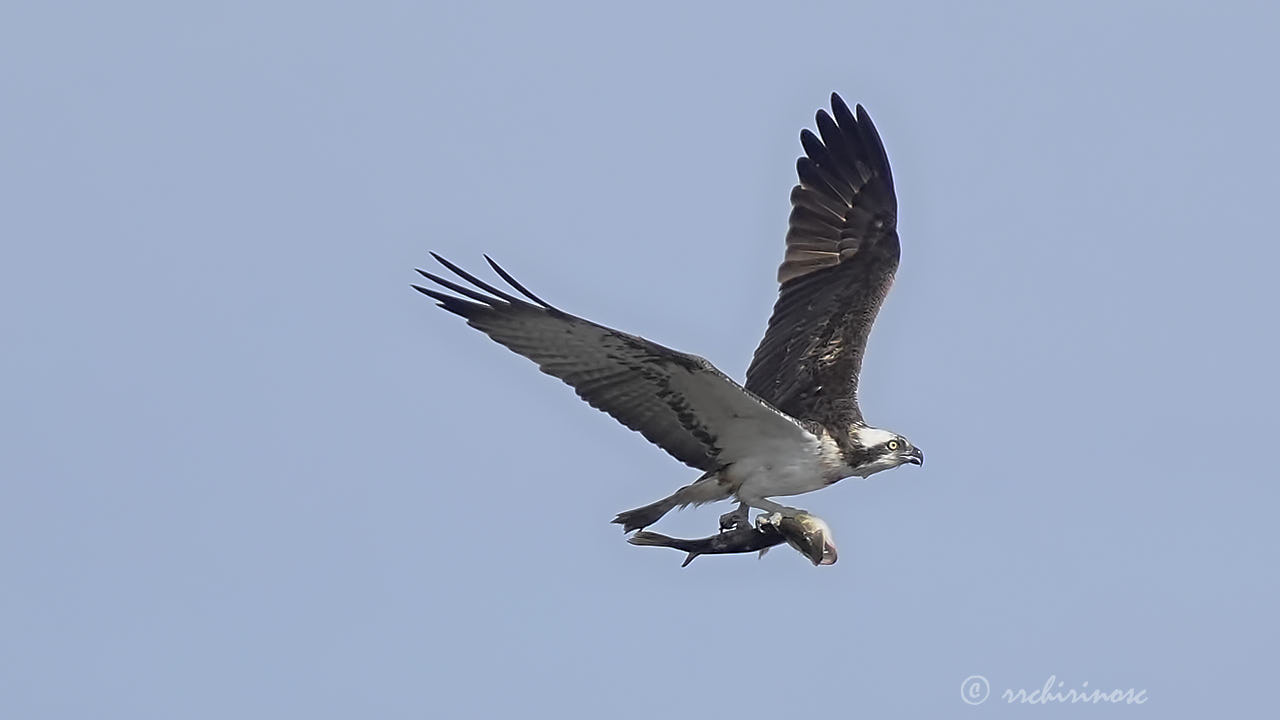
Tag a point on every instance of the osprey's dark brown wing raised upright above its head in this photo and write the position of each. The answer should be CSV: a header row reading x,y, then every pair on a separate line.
x,y
842,256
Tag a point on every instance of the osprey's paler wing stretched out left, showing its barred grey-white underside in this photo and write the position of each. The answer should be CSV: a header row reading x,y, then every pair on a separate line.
x,y
680,403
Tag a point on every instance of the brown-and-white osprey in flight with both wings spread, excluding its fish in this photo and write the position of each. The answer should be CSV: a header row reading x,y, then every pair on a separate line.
x,y
796,426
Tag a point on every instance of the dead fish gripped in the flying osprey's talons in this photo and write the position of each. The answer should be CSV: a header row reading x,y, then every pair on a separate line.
x,y
808,534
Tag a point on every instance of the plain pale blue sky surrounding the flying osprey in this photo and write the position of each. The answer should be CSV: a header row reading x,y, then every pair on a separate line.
x,y
249,473
